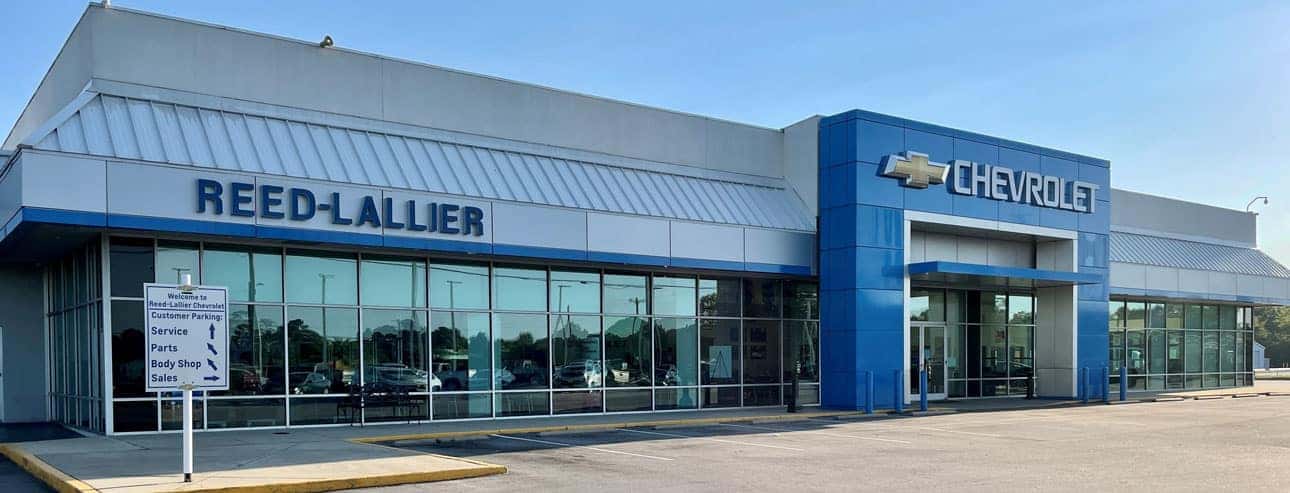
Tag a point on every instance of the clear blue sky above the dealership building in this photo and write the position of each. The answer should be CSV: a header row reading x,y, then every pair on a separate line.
x,y
1187,100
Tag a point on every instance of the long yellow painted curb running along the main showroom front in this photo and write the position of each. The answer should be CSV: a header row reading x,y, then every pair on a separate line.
x,y
594,427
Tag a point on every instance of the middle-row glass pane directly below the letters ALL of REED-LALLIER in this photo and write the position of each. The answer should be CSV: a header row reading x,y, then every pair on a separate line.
x,y
394,350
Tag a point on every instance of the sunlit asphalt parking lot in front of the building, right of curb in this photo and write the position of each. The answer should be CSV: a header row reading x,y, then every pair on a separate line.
x,y
1186,446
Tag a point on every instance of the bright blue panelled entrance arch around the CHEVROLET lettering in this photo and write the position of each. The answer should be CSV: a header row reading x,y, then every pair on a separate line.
x,y
862,242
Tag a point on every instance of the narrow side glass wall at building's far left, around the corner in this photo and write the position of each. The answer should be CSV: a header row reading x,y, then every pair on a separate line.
x,y
75,335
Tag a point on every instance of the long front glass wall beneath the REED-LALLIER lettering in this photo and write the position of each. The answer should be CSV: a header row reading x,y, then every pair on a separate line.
x,y
464,340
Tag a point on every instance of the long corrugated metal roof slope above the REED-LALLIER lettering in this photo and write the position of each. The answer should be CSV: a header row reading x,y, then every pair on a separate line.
x,y
110,126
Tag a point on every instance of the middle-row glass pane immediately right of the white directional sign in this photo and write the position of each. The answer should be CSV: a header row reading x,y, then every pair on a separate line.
x,y
256,365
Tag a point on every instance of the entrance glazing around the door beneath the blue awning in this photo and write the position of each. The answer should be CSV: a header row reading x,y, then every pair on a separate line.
x,y
990,339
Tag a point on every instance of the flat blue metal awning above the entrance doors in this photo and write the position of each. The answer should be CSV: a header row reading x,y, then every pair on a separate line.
x,y
975,276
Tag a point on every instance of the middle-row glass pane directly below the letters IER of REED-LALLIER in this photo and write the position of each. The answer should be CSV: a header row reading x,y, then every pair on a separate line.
x,y
462,356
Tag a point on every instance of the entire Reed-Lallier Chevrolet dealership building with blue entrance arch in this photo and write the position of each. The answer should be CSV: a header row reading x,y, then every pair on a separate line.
x,y
500,250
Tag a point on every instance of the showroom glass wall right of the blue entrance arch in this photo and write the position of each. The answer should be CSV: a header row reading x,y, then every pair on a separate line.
x,y
1168,347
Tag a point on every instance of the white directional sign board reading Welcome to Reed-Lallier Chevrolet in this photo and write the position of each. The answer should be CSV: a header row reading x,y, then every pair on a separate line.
x,y
188,337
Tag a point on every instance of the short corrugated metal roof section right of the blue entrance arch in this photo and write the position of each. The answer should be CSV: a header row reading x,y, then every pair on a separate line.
x,y
1164,252
